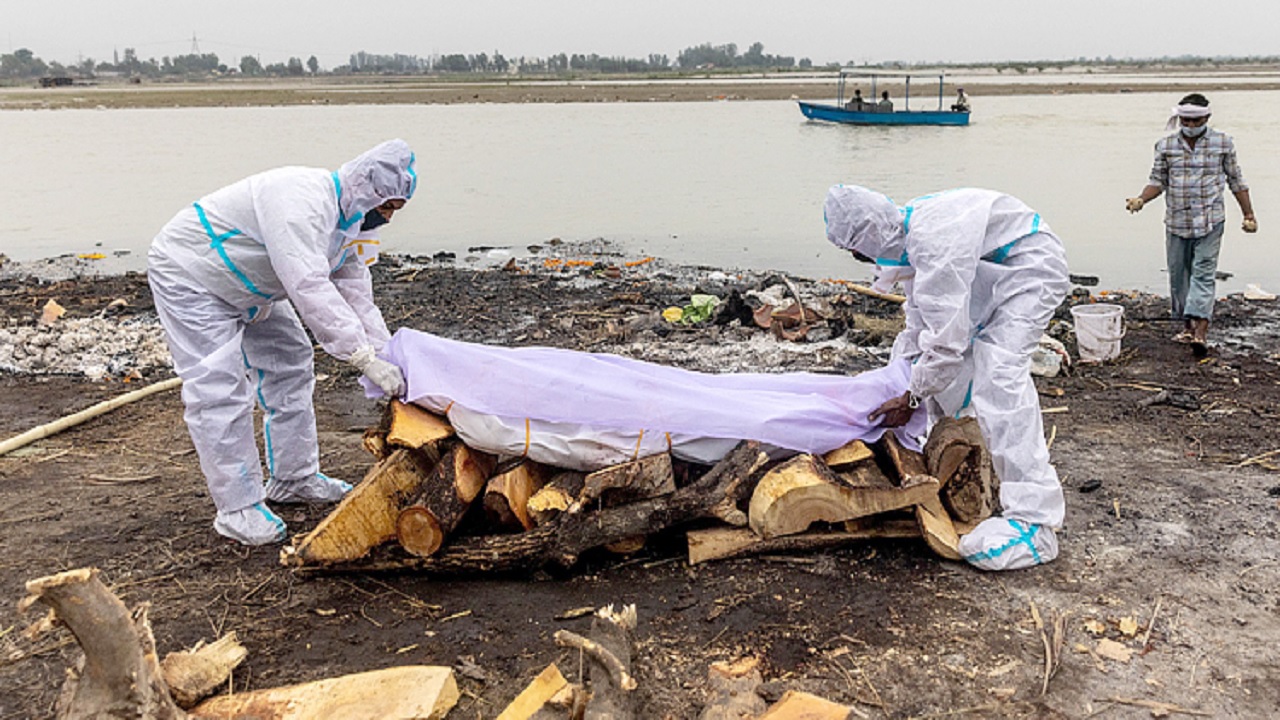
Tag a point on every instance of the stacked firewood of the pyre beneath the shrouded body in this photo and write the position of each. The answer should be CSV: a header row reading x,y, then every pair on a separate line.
x,y
432,503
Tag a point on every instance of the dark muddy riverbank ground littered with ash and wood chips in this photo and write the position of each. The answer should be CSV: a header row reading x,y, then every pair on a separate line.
x,y
1171,548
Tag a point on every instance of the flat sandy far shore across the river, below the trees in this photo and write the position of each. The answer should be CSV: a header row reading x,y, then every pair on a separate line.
x,y
113,94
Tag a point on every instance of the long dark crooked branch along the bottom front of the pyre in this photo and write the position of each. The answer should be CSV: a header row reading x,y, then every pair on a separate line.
x,y
569,536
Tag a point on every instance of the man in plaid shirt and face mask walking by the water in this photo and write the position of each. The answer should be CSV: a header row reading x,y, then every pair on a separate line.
x,y
1191,168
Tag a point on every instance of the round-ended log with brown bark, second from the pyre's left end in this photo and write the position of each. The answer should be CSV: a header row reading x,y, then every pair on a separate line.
x,y
444,499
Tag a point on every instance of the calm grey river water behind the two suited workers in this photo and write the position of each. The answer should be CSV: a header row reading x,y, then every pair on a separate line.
x,y
716,184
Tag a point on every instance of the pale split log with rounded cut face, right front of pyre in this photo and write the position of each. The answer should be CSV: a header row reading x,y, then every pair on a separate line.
x,y
804,491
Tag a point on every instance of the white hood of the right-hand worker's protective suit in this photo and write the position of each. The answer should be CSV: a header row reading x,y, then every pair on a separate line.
x,y
865,221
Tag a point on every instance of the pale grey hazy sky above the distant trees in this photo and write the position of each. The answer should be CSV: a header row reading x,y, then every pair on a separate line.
x,y
830,31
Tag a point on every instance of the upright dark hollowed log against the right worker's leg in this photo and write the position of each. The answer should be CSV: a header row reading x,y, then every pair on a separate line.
x,y
958,458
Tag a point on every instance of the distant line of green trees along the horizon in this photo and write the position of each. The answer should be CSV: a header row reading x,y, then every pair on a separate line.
x,y
24,63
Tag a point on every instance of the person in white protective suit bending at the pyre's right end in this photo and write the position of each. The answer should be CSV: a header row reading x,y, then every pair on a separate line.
x,y
984,276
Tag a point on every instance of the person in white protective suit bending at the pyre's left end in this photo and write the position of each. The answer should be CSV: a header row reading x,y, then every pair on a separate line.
x,y
232,275
